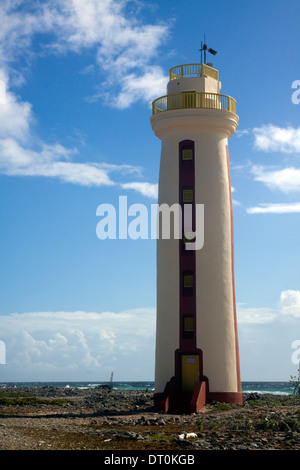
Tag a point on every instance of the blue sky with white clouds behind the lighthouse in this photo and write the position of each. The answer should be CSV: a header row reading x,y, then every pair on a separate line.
x,y
77,79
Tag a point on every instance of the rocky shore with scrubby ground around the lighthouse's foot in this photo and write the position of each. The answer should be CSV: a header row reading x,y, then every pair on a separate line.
x,y
48,418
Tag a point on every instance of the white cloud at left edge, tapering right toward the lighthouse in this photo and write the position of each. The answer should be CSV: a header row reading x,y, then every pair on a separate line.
x,y
17,158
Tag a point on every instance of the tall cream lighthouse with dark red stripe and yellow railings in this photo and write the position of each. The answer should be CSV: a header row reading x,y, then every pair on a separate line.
x,y
197,355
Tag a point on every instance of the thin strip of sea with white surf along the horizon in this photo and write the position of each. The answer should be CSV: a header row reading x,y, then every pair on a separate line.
x,y
276,388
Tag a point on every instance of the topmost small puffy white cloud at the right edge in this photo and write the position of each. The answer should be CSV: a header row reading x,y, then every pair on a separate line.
x,y
270,138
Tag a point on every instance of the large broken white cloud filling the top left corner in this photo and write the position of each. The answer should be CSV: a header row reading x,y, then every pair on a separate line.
x,y
123,46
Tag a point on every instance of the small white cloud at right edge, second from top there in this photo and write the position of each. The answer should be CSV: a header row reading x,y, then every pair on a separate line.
x,y
286,180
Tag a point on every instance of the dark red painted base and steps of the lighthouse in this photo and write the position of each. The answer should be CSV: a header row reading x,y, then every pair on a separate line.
x,y
175,400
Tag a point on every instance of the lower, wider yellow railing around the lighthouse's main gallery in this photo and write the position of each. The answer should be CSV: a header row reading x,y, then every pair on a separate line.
x,y
193,100
